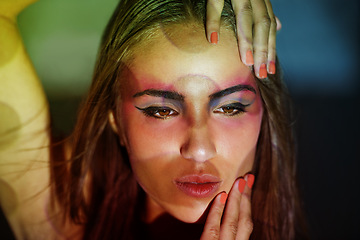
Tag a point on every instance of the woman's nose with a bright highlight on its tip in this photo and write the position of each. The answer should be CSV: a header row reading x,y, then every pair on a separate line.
x,y
198,145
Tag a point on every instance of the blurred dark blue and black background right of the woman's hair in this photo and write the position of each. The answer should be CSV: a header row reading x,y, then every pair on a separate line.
x,y
319,51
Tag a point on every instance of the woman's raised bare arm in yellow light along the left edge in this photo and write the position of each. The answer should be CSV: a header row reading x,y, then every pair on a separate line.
x,y
24,138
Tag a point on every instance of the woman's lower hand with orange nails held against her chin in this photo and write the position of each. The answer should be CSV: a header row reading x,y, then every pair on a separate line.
x,y
230,216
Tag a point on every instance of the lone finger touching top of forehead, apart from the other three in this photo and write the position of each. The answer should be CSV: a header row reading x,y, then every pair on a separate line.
x,y
213,16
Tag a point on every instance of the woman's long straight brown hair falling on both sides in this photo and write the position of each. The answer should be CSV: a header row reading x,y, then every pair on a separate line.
x,y
98,189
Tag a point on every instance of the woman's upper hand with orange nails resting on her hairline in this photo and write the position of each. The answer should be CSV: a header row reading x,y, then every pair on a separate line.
x,y
256,27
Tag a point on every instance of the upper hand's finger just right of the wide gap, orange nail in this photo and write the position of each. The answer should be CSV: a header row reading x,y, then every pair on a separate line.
x,y
244,23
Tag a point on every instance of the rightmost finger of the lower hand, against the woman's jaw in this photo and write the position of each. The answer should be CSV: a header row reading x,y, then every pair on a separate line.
x,y
245,226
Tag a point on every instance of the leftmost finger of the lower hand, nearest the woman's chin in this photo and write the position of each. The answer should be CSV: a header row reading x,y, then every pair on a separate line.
x,y
213,221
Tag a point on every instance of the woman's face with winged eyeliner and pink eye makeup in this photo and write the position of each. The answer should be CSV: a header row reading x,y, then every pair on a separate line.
x,y
190,117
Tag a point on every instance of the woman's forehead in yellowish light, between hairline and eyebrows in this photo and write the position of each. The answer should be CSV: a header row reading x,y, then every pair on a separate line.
x,y
182,56
